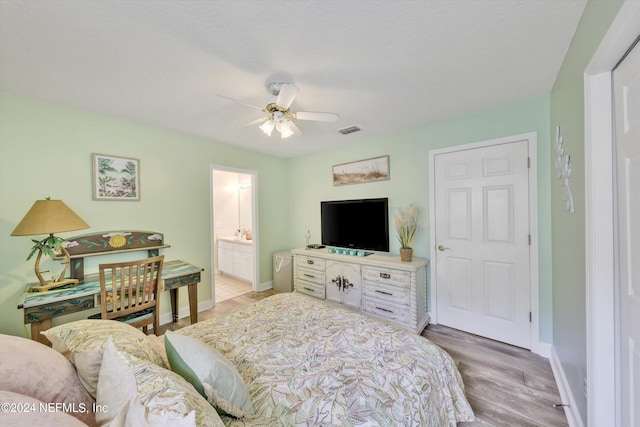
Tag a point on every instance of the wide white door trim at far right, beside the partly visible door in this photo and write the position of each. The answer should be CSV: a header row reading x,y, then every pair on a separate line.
x,y
603,404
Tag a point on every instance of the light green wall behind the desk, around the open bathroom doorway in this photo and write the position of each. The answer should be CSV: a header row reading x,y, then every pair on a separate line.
x,y
46,150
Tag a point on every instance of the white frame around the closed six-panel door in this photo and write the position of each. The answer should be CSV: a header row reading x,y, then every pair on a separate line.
x,y
532,139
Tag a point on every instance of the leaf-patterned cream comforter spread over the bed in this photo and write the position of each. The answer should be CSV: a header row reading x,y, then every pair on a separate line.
x,y
311,363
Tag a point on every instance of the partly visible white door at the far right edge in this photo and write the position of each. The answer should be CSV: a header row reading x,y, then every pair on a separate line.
x,y
626,96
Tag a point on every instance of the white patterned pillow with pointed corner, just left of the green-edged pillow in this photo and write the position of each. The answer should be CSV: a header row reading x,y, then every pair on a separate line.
x,y
139,393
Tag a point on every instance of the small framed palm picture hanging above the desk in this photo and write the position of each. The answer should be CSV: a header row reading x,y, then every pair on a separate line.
x,y
115,178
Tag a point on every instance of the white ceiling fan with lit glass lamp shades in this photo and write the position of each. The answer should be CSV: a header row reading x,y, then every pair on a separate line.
x,y
278,113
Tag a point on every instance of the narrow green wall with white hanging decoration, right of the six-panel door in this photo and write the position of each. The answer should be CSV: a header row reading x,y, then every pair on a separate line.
x,y
568,242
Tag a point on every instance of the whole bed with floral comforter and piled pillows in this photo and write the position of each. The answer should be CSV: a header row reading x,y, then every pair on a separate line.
x,y
295,360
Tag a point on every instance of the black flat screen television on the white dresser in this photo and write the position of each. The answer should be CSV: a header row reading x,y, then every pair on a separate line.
x,y
356,224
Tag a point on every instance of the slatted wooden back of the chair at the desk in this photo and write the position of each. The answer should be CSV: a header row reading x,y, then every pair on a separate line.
x,y
127,288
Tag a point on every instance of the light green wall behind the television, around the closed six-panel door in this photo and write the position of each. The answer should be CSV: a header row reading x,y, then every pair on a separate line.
x,y
311,180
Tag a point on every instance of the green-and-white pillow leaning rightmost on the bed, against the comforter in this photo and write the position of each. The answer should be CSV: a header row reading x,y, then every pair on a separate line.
x,y
212,374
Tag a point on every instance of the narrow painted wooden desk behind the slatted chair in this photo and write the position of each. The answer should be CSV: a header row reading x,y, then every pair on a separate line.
x,y
41,307
